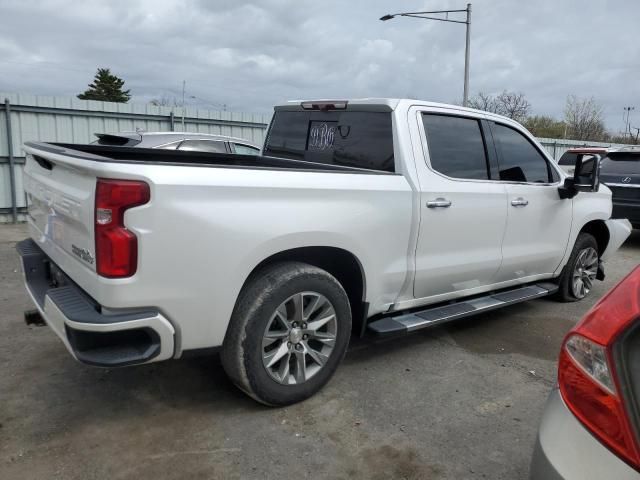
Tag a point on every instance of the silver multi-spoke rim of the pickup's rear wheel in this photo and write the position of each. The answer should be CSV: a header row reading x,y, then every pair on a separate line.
x,y
299,338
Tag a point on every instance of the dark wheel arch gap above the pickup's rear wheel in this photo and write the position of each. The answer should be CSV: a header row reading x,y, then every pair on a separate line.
x,y
340,263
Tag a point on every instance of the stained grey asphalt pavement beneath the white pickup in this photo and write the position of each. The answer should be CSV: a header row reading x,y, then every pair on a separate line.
x,y
455,402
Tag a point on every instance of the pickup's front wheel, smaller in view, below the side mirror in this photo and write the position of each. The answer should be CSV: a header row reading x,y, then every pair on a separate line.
x,y
581,270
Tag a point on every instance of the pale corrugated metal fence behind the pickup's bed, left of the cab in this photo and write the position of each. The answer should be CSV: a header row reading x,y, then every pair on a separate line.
x,y
69,120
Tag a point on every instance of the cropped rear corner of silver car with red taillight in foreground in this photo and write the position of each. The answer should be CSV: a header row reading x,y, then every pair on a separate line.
x,y
589,428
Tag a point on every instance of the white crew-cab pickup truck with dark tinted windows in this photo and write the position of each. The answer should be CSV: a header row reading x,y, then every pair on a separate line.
x,y
377,215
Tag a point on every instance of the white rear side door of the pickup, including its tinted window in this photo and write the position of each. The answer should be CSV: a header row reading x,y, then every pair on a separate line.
x,y
463,211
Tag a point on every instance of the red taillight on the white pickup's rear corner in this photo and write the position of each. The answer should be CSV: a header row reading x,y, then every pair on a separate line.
x,y
117,247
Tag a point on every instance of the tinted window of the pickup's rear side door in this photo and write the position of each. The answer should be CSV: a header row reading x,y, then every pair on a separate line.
x,y
456,146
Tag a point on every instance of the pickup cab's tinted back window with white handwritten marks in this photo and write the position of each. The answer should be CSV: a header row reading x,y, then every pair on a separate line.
x,y
354,139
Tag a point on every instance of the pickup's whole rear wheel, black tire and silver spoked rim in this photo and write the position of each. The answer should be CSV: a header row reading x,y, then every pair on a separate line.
x,y
288,333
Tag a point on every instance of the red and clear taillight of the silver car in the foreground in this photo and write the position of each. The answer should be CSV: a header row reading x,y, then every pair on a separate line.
x,y
588,374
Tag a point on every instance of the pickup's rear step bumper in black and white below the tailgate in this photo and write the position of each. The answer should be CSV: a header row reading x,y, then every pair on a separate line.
x,y
92,337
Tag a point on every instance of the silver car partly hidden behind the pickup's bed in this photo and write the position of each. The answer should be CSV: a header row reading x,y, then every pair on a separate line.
x,y
194,142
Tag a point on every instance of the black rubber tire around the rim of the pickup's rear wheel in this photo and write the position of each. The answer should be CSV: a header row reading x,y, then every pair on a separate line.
x,y
242,350
